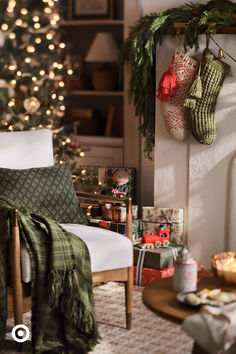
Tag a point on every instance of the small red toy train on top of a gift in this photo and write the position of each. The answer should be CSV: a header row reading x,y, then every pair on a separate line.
x,y
162,238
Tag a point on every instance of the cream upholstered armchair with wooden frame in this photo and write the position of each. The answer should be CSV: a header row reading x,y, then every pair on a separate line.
x,y
111,253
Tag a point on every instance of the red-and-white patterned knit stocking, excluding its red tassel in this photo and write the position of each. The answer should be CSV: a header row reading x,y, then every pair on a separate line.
x,y
174,112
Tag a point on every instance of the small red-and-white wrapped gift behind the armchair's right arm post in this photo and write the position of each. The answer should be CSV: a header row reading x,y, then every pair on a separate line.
x,y
118,213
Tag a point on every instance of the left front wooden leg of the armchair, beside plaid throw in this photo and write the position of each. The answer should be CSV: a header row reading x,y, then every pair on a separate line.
x,y
16,275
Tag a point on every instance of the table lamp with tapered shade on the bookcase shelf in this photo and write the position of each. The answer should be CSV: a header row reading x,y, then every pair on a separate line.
x,y
103,50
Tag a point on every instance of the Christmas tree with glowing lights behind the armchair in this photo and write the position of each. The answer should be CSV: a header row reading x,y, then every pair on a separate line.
x,y
32,70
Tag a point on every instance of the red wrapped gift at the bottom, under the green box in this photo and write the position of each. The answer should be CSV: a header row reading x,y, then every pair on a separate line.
x,y
148,275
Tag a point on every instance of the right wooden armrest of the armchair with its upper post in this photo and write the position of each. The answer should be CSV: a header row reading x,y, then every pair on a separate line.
x,y
107,198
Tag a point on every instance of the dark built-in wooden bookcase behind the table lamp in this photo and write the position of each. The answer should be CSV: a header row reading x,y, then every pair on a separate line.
x,y
79,34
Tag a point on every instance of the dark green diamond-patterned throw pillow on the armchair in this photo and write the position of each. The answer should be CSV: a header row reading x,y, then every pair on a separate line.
x,y
47,191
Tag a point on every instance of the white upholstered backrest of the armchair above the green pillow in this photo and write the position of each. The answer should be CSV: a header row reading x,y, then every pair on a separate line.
x,y
26,149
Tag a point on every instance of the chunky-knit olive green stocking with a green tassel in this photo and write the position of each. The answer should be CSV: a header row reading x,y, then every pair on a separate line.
x,y
203,95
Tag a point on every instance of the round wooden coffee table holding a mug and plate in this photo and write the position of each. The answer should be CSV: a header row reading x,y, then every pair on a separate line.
x,y
160,297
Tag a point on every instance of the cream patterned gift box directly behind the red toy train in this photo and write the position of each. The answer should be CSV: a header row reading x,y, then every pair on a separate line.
x,y
171,217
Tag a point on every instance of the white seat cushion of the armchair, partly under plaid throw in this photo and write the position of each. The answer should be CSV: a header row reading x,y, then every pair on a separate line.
x,y
108,250
